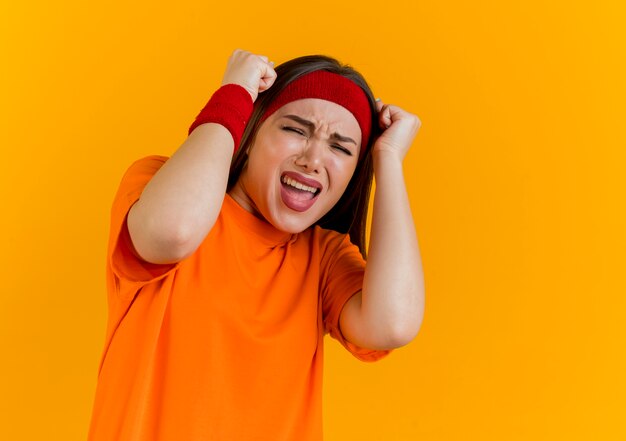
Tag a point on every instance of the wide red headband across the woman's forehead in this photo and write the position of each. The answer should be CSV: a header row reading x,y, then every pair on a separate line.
x,y
328,86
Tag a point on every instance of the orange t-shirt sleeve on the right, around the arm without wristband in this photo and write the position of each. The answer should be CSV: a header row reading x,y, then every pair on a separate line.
x,y
342,271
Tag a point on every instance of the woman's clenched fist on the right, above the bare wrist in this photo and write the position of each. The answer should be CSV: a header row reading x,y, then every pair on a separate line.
x,y
399,129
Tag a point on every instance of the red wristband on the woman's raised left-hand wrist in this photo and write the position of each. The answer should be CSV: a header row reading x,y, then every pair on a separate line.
x,y
231,106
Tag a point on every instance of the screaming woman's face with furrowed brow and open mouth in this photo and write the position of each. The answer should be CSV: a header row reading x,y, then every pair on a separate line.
x,y
300,163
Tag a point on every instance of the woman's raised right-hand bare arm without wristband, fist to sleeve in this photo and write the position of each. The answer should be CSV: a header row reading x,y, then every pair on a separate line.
x,y
389,311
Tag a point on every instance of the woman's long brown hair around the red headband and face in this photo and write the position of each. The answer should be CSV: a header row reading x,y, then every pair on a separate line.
x,y
349,215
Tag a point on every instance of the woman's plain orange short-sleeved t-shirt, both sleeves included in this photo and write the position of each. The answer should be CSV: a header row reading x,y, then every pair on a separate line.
x,y
226,344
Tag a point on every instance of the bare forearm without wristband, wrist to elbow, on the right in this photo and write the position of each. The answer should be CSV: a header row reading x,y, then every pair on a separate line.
x,y
393,288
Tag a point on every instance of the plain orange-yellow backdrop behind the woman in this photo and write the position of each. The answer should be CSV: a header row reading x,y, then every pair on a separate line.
x,y
516,182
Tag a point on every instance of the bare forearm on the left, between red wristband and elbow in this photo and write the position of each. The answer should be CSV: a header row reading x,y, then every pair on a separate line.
x,y
182,200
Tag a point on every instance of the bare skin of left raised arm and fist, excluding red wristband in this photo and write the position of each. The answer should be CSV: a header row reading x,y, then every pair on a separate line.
x,y
180,204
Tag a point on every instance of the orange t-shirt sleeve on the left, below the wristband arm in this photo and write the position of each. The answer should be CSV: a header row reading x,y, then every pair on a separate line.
x,y
121,258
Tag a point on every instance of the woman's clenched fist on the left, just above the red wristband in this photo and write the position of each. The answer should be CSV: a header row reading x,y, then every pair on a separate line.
x,y
253,72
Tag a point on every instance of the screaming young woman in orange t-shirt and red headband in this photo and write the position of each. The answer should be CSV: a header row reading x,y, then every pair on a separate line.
x,y
230,261
